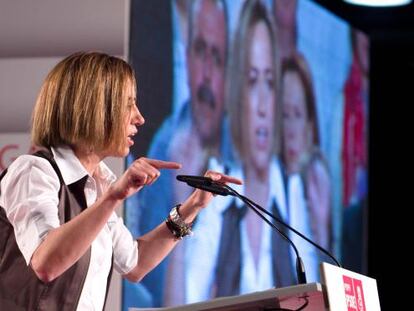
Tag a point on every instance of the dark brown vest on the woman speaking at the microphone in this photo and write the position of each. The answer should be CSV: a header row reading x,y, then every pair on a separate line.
x,y
20,289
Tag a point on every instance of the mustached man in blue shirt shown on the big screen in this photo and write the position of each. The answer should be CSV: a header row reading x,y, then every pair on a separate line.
x,y
193,134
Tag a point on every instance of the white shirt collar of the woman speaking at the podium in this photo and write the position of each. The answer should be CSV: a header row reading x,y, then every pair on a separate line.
x,y
72,169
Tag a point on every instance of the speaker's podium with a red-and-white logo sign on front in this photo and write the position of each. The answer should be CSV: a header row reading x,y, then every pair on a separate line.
x,y
341,290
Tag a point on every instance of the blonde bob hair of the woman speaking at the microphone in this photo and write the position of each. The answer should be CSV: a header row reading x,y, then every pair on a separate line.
x,y
83,102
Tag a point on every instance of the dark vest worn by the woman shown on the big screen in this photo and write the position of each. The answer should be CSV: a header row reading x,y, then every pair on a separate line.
x,y
229,261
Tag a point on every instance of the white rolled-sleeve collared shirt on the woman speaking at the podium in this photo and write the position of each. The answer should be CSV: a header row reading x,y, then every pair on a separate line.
x,y
30,199
